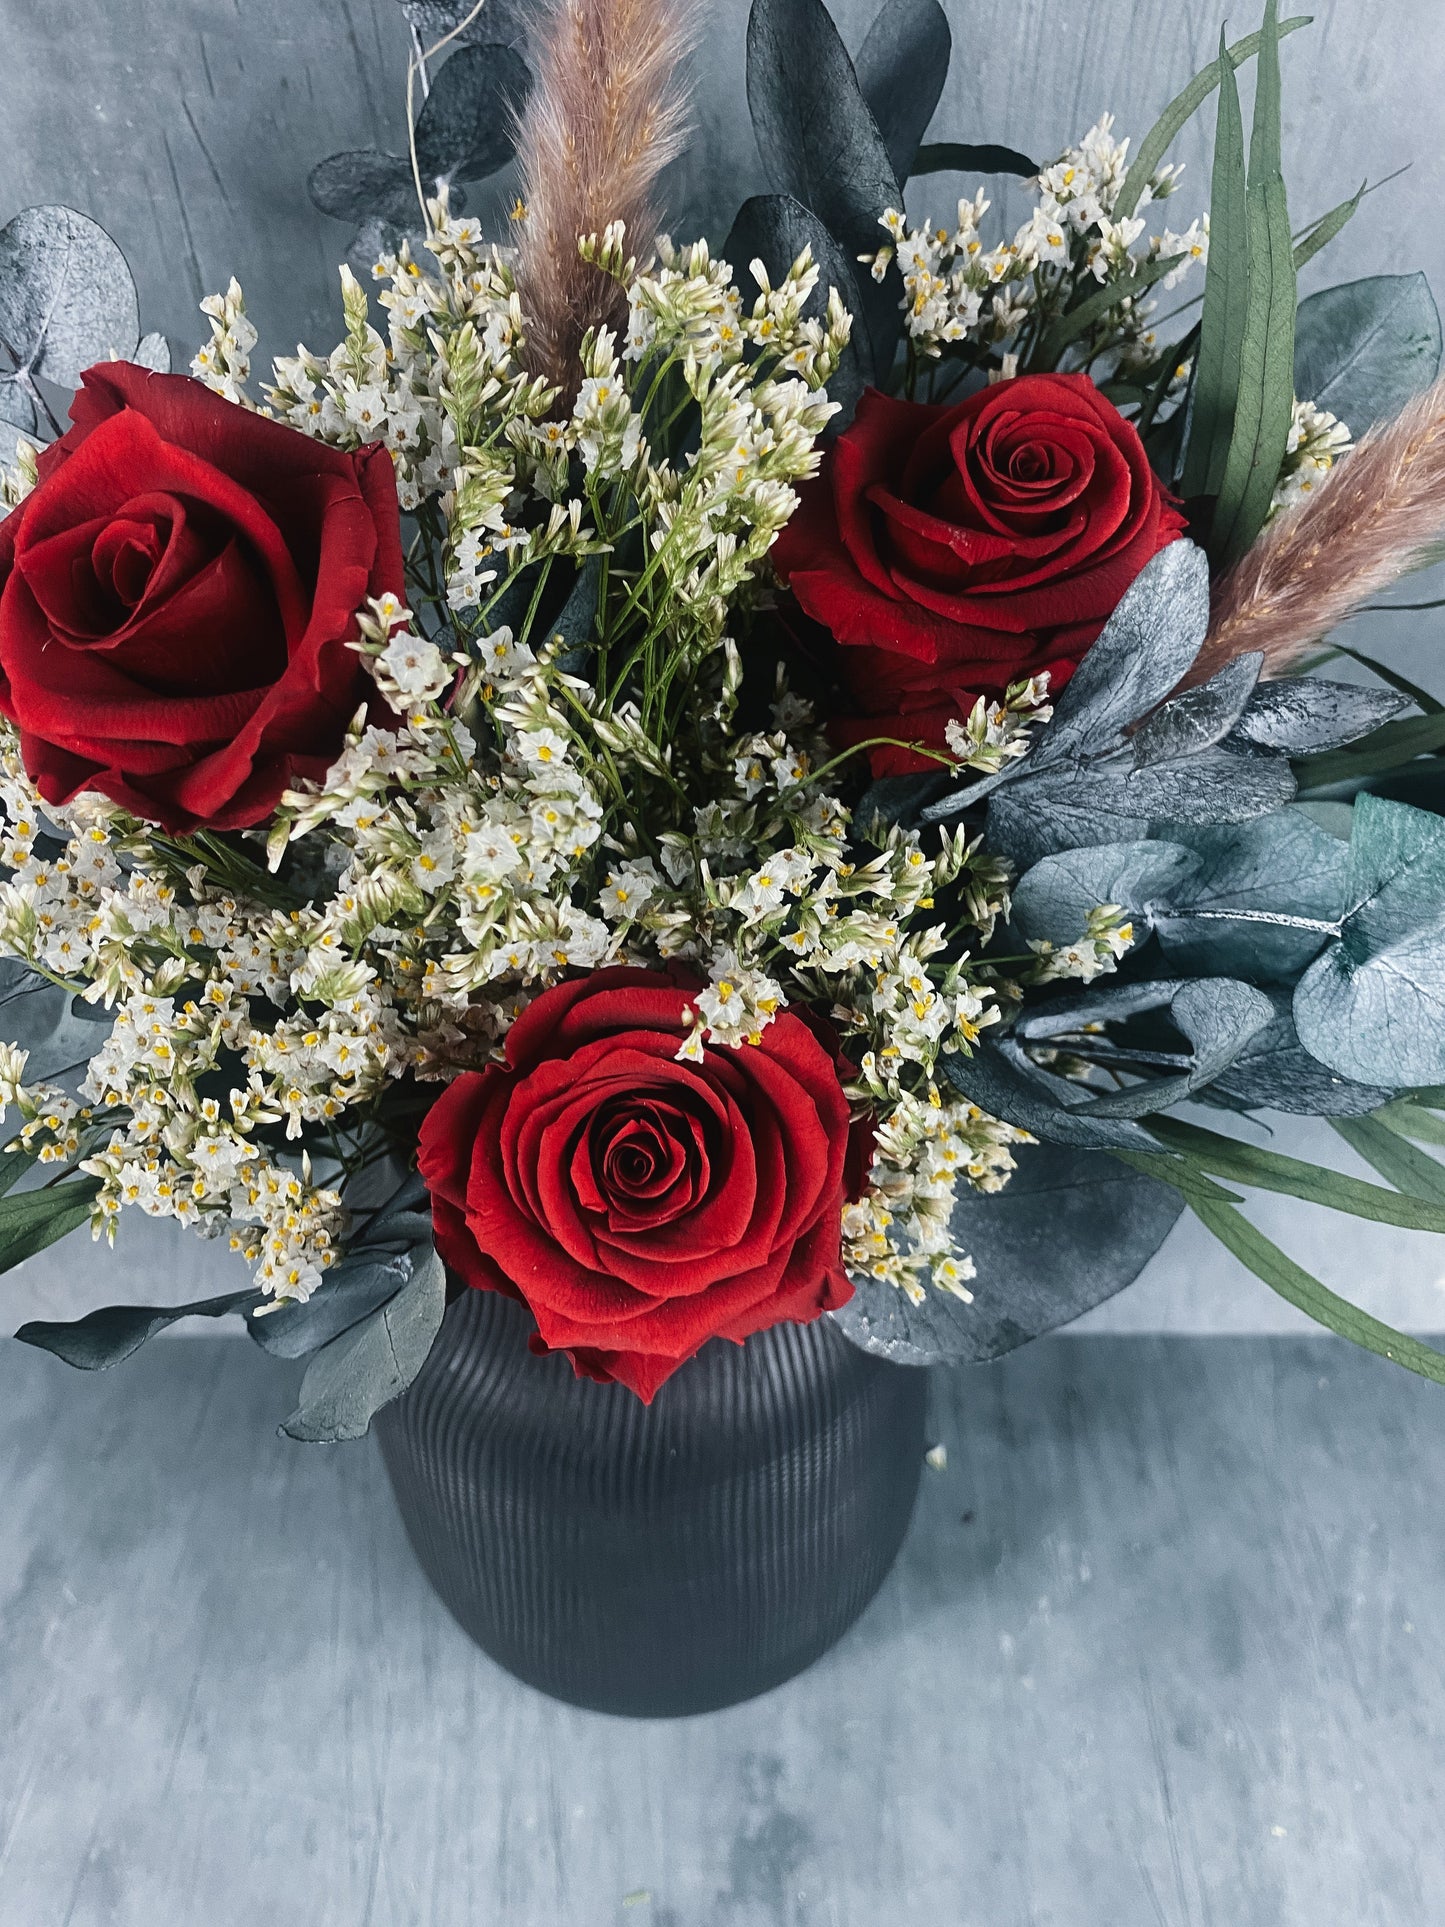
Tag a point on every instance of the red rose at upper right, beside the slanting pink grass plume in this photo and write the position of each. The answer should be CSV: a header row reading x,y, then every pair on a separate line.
x,y
960,548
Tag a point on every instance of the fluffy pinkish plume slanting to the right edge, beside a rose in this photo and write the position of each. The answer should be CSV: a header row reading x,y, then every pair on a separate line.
x,y
1379,514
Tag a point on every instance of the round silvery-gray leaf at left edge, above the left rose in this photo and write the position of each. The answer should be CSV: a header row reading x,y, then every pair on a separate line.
x,y
66,296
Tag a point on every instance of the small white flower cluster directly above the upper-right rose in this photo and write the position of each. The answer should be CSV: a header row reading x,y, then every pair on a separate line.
x,y
966,296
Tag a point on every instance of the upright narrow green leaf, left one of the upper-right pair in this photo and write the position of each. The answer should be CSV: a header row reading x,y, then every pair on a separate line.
x,y
1226,302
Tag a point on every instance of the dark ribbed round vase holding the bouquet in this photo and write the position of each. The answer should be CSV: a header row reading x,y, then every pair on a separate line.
x,y
664,1558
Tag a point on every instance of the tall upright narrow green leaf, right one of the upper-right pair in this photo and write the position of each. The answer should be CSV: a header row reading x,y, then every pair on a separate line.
x,y
1267,357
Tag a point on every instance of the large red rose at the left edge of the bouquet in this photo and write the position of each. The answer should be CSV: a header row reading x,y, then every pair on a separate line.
x,y
176,602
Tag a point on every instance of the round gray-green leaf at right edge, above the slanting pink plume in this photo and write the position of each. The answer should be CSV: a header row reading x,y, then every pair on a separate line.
x,y
1367,348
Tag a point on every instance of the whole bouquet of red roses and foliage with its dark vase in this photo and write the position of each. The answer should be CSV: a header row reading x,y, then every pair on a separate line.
x,y
662,795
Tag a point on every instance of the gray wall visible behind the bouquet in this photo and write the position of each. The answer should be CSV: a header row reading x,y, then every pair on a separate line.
x,y
188,130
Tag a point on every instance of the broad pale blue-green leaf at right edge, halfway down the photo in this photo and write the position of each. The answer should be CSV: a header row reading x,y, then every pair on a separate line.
x,y
1375,1005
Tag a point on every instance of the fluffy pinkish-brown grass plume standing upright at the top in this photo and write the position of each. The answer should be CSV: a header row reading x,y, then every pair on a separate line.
x,y
606,117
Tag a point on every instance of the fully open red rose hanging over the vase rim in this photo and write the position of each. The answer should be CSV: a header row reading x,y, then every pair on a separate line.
x,y
643,1205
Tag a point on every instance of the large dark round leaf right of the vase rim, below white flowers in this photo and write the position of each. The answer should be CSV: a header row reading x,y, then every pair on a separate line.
x,y
1066,1232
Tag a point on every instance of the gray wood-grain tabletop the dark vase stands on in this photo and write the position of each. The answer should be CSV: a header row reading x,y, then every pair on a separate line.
x,y
1163,1650
